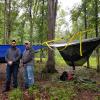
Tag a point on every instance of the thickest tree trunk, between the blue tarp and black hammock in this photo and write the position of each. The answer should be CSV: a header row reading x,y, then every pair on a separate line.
x,y
52,8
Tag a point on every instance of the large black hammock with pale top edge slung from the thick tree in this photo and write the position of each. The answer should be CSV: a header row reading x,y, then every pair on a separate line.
x,y
71,54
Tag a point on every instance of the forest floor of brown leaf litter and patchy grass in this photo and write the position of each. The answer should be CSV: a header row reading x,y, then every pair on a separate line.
x,y
84,86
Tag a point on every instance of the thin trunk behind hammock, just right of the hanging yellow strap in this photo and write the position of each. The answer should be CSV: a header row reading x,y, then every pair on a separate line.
x,y
85,23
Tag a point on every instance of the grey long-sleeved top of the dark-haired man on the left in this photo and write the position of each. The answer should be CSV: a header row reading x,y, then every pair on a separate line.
x,y
13,54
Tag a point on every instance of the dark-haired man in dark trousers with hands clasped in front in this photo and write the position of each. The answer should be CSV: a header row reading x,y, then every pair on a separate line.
x,y
12,58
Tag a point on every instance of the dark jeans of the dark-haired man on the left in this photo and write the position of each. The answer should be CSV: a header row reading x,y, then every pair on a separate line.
x,y
12,70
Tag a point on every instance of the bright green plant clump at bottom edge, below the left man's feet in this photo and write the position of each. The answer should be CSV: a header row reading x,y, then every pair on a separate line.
x,y
16,94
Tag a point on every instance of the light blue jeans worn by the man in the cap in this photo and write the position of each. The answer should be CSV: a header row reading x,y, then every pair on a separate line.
x,y
28,75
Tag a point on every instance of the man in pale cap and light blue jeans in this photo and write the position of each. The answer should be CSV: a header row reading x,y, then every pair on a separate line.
x,y
27,60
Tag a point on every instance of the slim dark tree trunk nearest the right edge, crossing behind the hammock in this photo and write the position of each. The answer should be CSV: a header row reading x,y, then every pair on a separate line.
x,y
96,30
